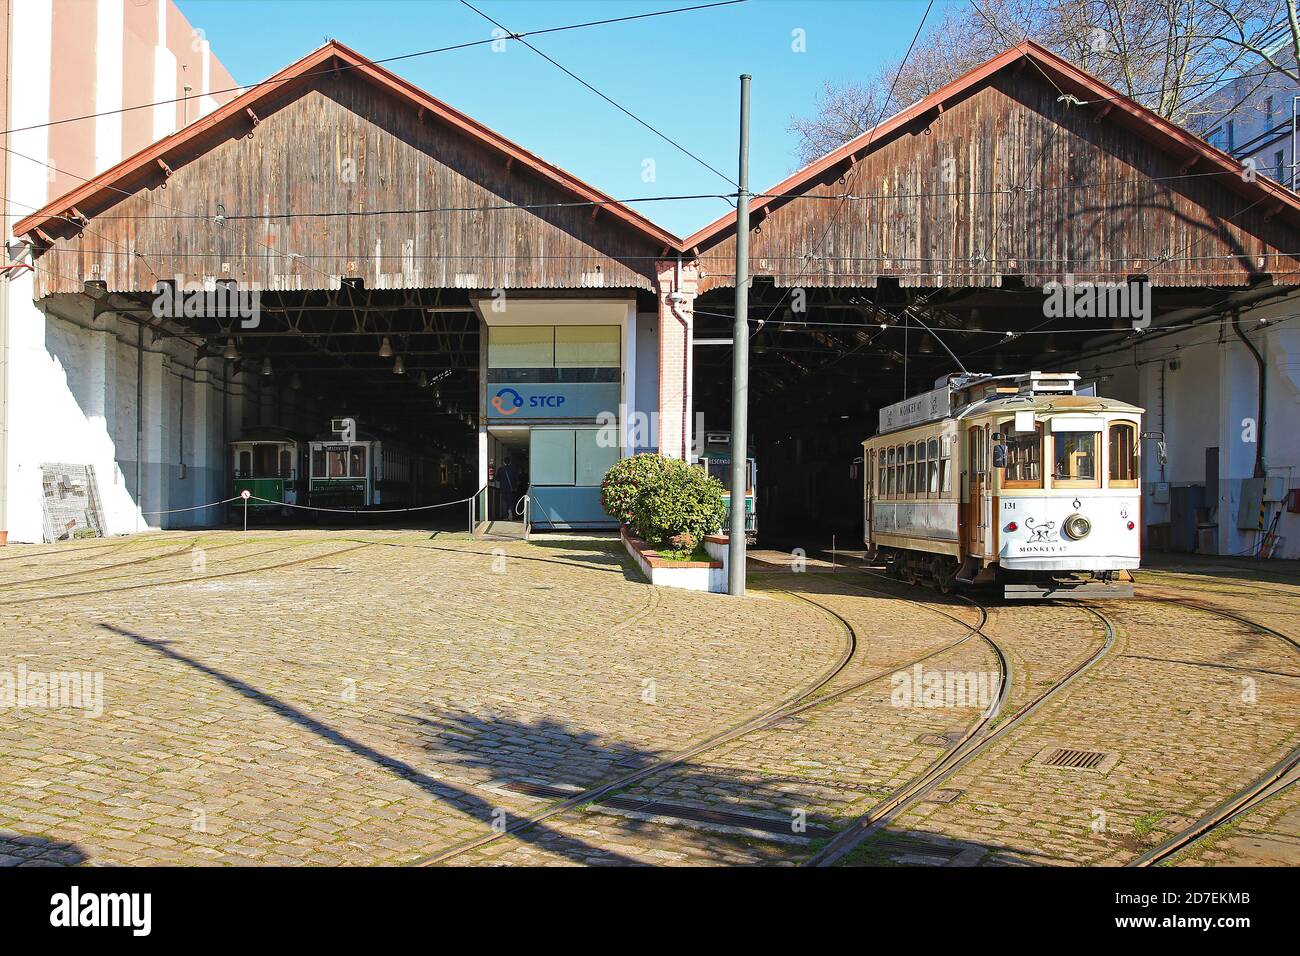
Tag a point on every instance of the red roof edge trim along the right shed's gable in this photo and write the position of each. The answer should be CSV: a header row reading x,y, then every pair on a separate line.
x,y
1164,133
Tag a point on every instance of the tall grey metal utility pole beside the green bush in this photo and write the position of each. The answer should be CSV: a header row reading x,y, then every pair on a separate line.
x,y
740,364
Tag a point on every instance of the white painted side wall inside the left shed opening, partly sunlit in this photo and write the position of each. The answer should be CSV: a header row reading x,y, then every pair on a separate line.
x,y
85,371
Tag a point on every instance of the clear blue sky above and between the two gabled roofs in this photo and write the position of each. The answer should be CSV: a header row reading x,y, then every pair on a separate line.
x,y
679,73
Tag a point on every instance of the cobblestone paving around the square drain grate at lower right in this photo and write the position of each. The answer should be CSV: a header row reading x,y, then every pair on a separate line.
x,y
1189,707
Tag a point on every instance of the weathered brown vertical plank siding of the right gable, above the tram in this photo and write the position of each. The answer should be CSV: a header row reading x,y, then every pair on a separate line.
x,y
1037,189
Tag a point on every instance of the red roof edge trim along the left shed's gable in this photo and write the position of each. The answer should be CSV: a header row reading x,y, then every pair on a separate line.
x,y
372,72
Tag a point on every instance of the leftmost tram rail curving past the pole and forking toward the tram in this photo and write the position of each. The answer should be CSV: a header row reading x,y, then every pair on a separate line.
x,y
804,702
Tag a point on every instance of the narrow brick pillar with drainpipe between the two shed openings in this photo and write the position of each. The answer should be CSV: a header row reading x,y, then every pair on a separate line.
x,y
677,335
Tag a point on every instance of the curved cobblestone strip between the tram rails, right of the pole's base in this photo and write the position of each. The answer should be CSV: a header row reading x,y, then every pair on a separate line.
x,y
820,769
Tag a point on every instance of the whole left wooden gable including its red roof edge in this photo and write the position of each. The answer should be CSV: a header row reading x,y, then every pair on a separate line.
x,y
337,168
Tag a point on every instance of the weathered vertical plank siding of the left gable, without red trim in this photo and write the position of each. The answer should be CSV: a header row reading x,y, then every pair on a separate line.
x,y
346,145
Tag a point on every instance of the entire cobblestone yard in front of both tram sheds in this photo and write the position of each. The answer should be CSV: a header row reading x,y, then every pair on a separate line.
x,y
372,698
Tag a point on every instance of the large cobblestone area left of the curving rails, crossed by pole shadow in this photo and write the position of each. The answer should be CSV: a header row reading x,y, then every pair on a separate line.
x,y
350,698
